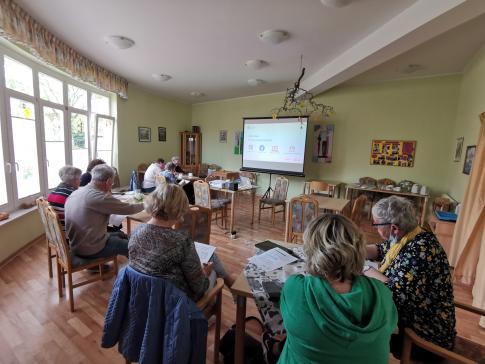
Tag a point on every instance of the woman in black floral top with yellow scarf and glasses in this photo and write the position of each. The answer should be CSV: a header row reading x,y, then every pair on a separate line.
x,y
415,267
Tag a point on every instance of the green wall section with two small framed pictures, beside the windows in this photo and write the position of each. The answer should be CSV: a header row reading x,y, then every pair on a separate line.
x,y
146,109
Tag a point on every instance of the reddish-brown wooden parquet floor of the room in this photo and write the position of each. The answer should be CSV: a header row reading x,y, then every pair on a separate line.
x,y
37,327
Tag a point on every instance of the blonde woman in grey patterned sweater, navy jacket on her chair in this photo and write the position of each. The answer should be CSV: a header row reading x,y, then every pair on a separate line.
x,y
156,249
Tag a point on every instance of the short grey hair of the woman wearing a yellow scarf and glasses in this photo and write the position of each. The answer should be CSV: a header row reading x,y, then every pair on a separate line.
x,y
396,210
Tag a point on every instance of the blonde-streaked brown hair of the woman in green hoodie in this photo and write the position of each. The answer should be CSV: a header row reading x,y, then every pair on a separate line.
x,y
335,247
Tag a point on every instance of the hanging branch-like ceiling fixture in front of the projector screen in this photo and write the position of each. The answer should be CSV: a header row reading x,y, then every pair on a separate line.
x,y
300,102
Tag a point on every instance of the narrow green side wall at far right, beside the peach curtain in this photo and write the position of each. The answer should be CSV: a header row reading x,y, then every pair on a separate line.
x,y
471,103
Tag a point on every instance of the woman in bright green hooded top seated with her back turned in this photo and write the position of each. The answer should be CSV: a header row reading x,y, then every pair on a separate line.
x,y
335,314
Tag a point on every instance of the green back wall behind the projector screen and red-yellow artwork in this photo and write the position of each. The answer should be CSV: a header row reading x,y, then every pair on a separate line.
x,y
423,110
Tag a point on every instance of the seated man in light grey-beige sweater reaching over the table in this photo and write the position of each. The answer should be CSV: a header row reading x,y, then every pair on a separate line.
x,y
87,213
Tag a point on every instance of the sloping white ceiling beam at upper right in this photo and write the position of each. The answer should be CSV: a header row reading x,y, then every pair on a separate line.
x,y
419,23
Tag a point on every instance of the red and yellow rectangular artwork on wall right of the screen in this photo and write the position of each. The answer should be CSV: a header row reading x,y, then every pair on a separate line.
x,y
399,153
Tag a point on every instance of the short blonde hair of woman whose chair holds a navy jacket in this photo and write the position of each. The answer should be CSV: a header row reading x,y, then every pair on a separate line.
x,y
167,202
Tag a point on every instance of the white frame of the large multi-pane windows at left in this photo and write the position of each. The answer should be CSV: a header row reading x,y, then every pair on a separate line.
x,y
5,116
